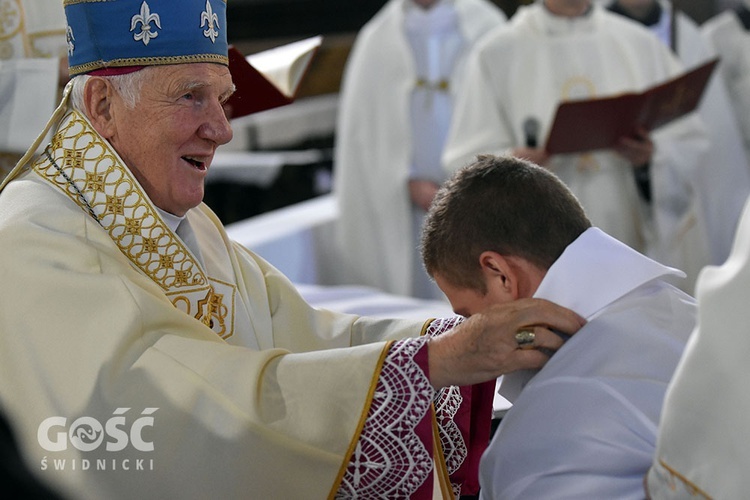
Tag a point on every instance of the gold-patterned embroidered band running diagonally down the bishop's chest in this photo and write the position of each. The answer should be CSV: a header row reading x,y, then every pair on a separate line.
x,y
90,174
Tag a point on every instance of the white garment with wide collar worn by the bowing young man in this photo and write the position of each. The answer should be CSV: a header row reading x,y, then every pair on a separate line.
x,y
585,425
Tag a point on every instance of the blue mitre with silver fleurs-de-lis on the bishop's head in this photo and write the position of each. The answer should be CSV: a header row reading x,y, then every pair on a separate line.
x,y
111,34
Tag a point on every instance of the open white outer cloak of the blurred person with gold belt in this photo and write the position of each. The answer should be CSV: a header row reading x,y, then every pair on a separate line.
x,y
374,145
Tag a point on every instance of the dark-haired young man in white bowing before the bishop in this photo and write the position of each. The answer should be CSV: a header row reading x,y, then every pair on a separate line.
x,y
504,229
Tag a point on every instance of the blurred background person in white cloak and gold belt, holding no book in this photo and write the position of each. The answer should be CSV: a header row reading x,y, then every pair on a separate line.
x,y
396,106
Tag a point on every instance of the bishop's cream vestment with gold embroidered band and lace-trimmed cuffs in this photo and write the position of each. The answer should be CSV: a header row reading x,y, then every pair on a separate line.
x,y
140,359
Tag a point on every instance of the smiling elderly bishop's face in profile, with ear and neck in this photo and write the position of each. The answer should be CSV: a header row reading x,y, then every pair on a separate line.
x,y
168,140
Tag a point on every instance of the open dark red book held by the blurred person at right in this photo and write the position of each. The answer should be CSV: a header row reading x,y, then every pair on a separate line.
x,y
586,125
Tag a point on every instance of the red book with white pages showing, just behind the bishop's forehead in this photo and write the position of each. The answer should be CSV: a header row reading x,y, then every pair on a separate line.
x,y
271,78
